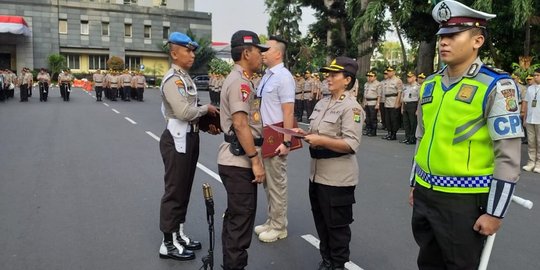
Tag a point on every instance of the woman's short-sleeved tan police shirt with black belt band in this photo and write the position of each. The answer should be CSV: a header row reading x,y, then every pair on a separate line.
x,y
338,119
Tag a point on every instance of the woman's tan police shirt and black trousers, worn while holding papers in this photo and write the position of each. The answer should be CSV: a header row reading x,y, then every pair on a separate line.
x,y
333,175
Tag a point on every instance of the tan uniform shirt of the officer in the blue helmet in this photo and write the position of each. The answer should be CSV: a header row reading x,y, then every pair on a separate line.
x,y
180,96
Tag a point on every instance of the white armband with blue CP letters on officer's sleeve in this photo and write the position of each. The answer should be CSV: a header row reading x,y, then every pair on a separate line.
x,y
504,127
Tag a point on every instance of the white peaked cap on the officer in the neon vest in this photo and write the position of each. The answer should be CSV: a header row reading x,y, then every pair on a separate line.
x,y
455,17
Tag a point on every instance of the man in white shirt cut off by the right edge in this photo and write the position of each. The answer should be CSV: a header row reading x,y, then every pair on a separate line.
x,y
532,121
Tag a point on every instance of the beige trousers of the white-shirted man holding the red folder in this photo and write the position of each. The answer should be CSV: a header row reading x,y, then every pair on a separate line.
x,y
276,191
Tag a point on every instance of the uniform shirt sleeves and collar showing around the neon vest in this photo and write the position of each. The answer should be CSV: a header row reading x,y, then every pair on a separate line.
x,y
507,159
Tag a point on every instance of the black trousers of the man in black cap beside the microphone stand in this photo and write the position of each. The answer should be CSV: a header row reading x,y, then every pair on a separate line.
x,y
239,216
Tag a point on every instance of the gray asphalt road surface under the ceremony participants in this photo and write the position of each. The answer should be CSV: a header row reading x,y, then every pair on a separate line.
x,y
80,187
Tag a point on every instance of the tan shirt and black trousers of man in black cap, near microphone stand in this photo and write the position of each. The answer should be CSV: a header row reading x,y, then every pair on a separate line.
x,y
238,95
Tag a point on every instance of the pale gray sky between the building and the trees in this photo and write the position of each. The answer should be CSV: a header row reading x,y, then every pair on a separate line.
x,y
229,16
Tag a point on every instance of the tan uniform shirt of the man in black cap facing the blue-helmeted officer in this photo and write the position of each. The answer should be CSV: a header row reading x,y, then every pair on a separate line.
x,y
238,95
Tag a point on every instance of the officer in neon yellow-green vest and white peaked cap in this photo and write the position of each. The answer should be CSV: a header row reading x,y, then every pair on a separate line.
x,y
468,154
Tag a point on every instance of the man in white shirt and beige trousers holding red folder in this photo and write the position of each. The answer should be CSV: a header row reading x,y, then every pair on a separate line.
x,y
276,89
